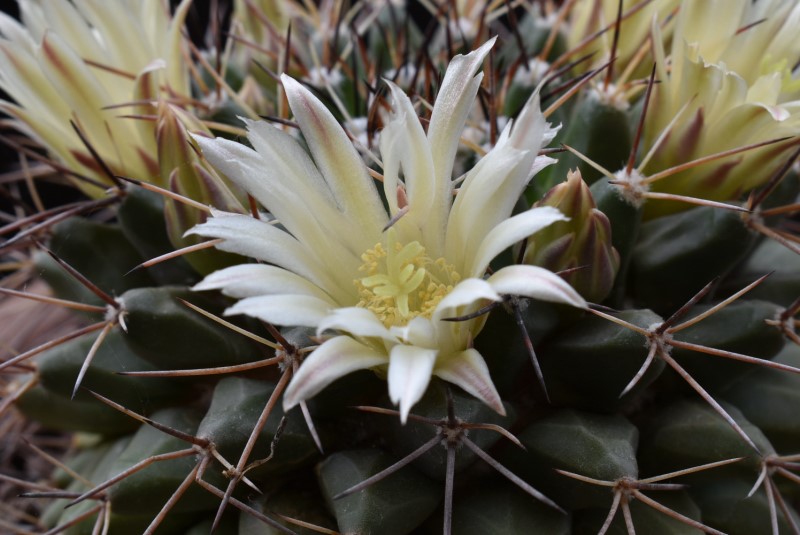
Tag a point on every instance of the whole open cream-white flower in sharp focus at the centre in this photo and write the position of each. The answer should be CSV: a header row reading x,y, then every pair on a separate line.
x,y
385,292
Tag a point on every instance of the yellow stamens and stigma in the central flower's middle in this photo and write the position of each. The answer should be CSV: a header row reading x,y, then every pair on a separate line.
x,y
402,282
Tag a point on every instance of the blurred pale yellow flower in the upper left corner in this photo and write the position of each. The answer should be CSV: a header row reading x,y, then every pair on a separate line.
x,y
76,60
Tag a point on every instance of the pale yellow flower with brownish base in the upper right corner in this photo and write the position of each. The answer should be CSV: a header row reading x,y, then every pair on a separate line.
x,y
728,80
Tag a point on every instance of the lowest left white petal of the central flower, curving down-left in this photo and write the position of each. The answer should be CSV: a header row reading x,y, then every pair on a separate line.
x,y
335,358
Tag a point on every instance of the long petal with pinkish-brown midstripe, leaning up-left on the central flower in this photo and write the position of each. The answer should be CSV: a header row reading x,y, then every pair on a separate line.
x,y
336,158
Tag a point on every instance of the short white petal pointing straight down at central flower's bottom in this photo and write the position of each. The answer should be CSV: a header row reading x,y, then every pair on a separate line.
x,y
410,370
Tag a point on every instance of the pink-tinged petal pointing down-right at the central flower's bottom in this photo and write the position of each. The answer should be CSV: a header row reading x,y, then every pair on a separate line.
x,y
468,370
